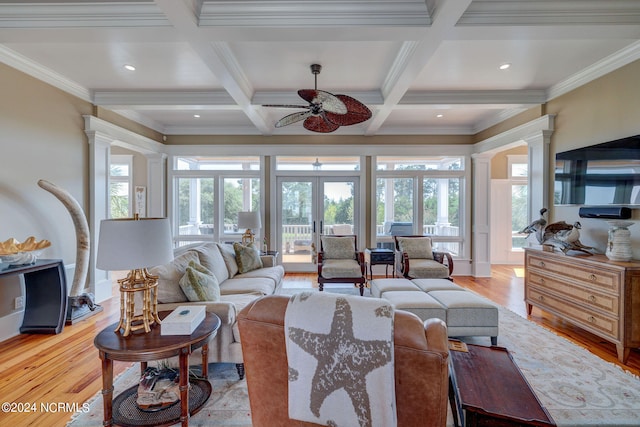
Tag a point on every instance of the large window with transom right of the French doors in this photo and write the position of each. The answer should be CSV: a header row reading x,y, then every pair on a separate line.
x,y
420,195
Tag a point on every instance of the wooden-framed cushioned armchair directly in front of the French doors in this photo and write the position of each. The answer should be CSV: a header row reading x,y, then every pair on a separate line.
x,y
339,261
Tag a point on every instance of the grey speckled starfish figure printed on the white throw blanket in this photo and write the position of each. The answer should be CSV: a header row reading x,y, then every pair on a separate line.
x,y
343,361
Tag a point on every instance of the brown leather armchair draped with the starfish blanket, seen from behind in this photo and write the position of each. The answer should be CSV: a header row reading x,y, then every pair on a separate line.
x,y
420,354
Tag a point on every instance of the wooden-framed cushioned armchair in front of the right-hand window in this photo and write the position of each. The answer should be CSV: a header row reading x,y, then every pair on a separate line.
x,y
415,259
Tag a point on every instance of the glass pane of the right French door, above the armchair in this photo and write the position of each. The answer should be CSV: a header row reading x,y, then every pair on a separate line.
x,y
338,207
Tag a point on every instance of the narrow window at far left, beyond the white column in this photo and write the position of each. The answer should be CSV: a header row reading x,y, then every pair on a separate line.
x,y
120,186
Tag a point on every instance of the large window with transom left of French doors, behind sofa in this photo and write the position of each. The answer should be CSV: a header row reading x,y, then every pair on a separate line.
x,y
208,193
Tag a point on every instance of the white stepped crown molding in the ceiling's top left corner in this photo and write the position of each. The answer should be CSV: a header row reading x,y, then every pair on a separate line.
x,y
81,15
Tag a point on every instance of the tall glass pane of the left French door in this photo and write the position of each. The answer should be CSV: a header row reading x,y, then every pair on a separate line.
x,y
297,221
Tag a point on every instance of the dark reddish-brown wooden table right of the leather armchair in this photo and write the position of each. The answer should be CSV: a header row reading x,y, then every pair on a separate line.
x,y
488,389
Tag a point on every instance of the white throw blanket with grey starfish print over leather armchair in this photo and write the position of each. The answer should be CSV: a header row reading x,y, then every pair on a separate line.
x,y
340,355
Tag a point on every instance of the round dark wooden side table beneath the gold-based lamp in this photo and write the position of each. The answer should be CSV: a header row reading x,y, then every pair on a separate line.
x,y
143,347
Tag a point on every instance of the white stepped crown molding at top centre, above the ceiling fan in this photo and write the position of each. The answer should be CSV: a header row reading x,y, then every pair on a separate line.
x,y
329,13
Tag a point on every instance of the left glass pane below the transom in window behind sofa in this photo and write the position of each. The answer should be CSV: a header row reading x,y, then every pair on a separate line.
x,y
195,206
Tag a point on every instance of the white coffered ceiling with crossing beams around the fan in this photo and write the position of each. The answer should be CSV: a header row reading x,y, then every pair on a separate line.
x,y
422,67
